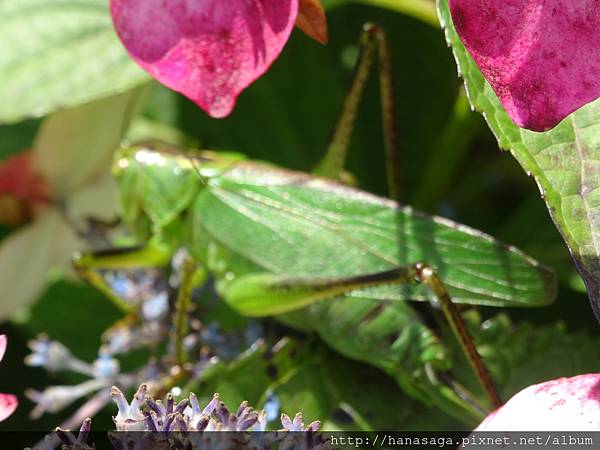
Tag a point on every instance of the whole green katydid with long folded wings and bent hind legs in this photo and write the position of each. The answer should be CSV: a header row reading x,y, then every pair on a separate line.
x,y
320,255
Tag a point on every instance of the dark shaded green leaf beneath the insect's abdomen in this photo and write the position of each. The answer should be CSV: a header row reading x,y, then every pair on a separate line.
x,y
308,377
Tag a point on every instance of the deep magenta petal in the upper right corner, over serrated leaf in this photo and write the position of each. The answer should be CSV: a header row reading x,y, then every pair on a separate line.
x,y
541,57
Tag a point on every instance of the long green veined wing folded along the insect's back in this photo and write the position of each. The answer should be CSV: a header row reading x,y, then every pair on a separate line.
x,y
291,224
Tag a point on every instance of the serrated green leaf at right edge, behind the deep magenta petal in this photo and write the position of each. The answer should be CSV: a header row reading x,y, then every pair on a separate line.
x,y
564,162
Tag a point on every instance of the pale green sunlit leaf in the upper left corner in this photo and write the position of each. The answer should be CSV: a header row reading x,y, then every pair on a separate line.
x,y
59,53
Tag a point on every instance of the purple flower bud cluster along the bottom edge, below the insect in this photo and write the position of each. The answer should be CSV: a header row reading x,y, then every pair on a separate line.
x,y
146,423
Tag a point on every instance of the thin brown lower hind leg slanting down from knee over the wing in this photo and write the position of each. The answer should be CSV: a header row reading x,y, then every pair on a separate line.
x,y
427,275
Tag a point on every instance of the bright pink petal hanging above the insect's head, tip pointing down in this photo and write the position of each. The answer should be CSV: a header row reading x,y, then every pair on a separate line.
x,y
209,50
